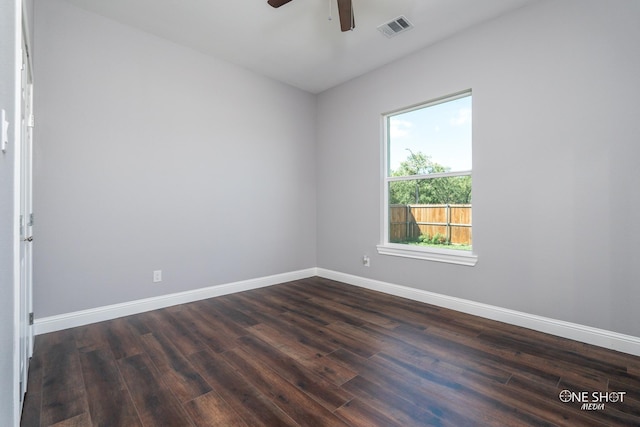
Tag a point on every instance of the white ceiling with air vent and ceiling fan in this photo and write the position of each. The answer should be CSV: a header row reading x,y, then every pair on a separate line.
x,y
297,43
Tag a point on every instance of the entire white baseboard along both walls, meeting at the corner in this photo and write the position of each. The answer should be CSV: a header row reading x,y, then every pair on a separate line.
x,y
600,337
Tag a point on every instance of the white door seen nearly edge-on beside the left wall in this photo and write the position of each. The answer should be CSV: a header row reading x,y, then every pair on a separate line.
x,y
26,218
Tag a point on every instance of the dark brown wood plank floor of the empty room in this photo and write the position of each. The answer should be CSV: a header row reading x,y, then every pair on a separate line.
x,y
320,353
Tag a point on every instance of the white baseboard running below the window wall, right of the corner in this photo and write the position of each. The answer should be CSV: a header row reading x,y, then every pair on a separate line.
x,y
600,337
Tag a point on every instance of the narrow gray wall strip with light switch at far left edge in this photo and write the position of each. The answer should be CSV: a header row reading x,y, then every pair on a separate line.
x,y
7,165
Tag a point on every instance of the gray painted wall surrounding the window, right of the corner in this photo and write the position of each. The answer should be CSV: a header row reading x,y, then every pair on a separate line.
x,y
556,200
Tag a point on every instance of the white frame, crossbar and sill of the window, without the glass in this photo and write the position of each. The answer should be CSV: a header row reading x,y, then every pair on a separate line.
x,y
410,251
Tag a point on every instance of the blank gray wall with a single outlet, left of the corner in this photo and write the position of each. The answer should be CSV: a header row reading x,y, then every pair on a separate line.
x,y
150,156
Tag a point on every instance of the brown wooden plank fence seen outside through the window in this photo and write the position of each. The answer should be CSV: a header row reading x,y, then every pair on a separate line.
x,y
408,222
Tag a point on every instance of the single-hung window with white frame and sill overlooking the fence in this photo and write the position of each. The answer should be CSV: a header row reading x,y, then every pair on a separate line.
x,y
428,181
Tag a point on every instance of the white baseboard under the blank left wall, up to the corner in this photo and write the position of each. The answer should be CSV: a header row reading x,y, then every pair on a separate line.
x,y
99,314
